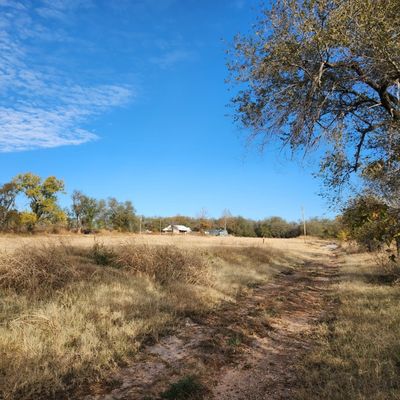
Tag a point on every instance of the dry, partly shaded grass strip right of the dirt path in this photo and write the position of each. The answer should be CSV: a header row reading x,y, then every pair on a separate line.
x,y
357,355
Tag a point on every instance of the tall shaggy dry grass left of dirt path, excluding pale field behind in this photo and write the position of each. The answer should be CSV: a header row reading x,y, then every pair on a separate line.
x,y
69,314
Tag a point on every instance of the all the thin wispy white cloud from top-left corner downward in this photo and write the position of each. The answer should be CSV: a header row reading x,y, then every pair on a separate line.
x,y
39,106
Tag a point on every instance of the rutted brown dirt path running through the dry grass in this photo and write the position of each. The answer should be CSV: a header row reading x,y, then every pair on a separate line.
x,y
244,351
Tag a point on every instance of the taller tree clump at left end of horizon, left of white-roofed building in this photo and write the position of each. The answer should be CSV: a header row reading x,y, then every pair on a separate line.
x,y
86,214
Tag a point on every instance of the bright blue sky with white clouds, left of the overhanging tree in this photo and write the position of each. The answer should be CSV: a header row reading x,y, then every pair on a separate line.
x,y
128,98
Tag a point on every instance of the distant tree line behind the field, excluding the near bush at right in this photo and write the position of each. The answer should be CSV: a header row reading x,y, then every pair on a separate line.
x,y
87,214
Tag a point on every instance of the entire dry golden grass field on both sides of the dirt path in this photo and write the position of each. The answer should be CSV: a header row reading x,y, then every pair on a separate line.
x,y
74,308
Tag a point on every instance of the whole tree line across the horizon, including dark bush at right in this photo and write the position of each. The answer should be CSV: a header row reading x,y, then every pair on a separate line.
x,y
366,218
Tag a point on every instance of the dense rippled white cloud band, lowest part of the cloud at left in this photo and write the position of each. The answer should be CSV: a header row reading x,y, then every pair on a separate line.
x,y
26,126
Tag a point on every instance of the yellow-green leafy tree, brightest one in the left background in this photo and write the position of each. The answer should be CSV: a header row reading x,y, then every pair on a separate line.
x,y
42,196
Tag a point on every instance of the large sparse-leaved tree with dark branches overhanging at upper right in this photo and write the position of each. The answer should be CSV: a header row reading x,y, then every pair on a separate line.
x,y
325,73
